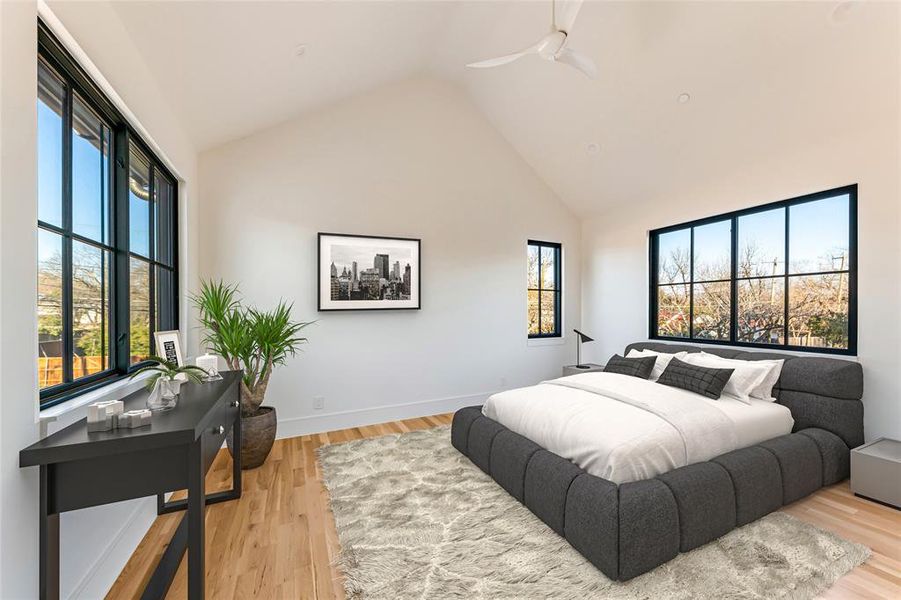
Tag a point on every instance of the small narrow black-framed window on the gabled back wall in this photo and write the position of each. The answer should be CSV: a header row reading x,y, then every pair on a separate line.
x,y
545,289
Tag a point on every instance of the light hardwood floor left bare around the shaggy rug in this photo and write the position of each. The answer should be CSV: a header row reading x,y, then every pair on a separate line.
x,y
279,539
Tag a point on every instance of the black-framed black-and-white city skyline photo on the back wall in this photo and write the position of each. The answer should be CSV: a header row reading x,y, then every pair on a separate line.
x,y
365,272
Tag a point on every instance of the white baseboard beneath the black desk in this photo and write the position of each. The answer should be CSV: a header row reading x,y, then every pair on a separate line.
x,y
98,580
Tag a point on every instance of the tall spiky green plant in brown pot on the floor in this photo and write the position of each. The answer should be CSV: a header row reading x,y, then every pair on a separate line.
x,y
253,340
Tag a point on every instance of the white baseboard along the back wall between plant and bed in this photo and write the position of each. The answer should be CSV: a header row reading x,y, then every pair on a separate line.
x,y
296,426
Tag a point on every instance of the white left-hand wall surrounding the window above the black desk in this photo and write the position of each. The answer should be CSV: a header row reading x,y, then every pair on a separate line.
x,y
96,543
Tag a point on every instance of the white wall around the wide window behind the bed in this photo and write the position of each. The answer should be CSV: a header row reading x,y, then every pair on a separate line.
x,y
615,254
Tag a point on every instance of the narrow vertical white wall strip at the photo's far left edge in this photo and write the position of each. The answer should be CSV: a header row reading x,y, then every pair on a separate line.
x,y
18,332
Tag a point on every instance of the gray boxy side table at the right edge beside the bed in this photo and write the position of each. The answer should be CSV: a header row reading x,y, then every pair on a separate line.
x,y
876,471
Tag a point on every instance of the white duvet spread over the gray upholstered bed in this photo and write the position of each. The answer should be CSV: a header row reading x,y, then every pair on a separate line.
x,y
623,428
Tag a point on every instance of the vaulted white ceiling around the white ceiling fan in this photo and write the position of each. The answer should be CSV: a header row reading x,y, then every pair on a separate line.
x,y
760,75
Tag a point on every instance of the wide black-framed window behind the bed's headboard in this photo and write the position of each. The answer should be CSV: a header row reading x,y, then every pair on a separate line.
x,y
782,275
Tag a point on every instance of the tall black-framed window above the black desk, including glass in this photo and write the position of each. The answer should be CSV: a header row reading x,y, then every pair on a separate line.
x,y
107,234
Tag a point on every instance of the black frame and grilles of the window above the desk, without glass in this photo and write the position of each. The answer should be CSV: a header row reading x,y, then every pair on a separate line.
x,y
122,135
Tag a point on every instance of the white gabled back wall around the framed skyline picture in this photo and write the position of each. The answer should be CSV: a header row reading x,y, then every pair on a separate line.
x,y
413,159
